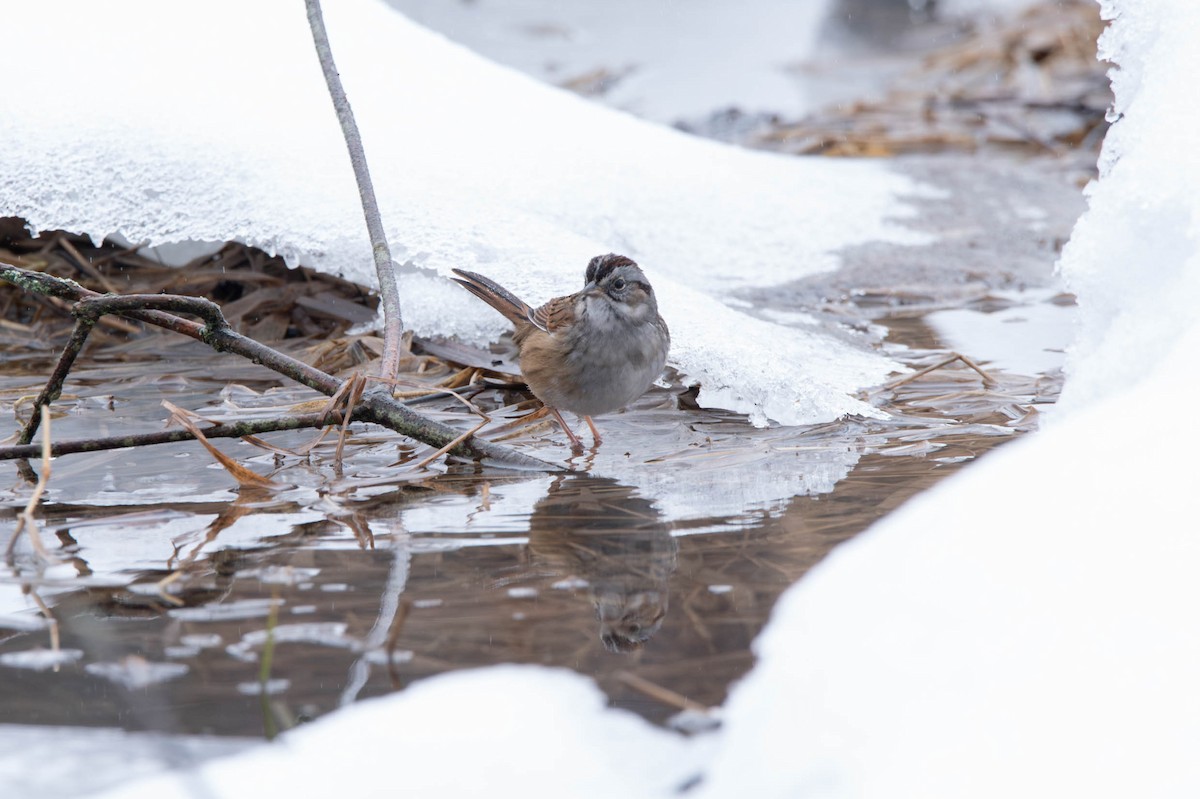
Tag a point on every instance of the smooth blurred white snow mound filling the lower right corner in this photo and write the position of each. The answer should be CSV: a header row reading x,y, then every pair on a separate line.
x,y
1024,630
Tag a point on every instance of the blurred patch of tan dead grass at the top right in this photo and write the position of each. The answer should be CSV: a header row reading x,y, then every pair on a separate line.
x,y
1030,85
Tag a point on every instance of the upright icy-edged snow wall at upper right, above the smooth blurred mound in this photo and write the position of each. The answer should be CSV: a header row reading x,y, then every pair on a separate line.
x,y
1135,259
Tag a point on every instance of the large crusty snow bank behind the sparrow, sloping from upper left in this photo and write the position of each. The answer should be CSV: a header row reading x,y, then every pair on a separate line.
x,y
212,122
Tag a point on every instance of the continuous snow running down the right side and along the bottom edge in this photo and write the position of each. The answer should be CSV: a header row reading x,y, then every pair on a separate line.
x,y
1024,629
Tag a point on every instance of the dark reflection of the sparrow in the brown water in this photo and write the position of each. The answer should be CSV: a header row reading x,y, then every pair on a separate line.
x,y
604,533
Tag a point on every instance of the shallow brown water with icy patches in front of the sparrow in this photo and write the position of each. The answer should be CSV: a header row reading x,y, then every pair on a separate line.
x,y
358,581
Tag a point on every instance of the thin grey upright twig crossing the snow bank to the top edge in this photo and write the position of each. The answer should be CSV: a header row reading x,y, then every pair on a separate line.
x,y
389,295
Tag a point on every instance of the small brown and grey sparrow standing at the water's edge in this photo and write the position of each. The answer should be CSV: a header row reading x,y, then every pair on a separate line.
x,y
591,352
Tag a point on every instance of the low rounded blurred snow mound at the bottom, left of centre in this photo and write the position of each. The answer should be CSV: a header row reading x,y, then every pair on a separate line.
x,y
509,731
